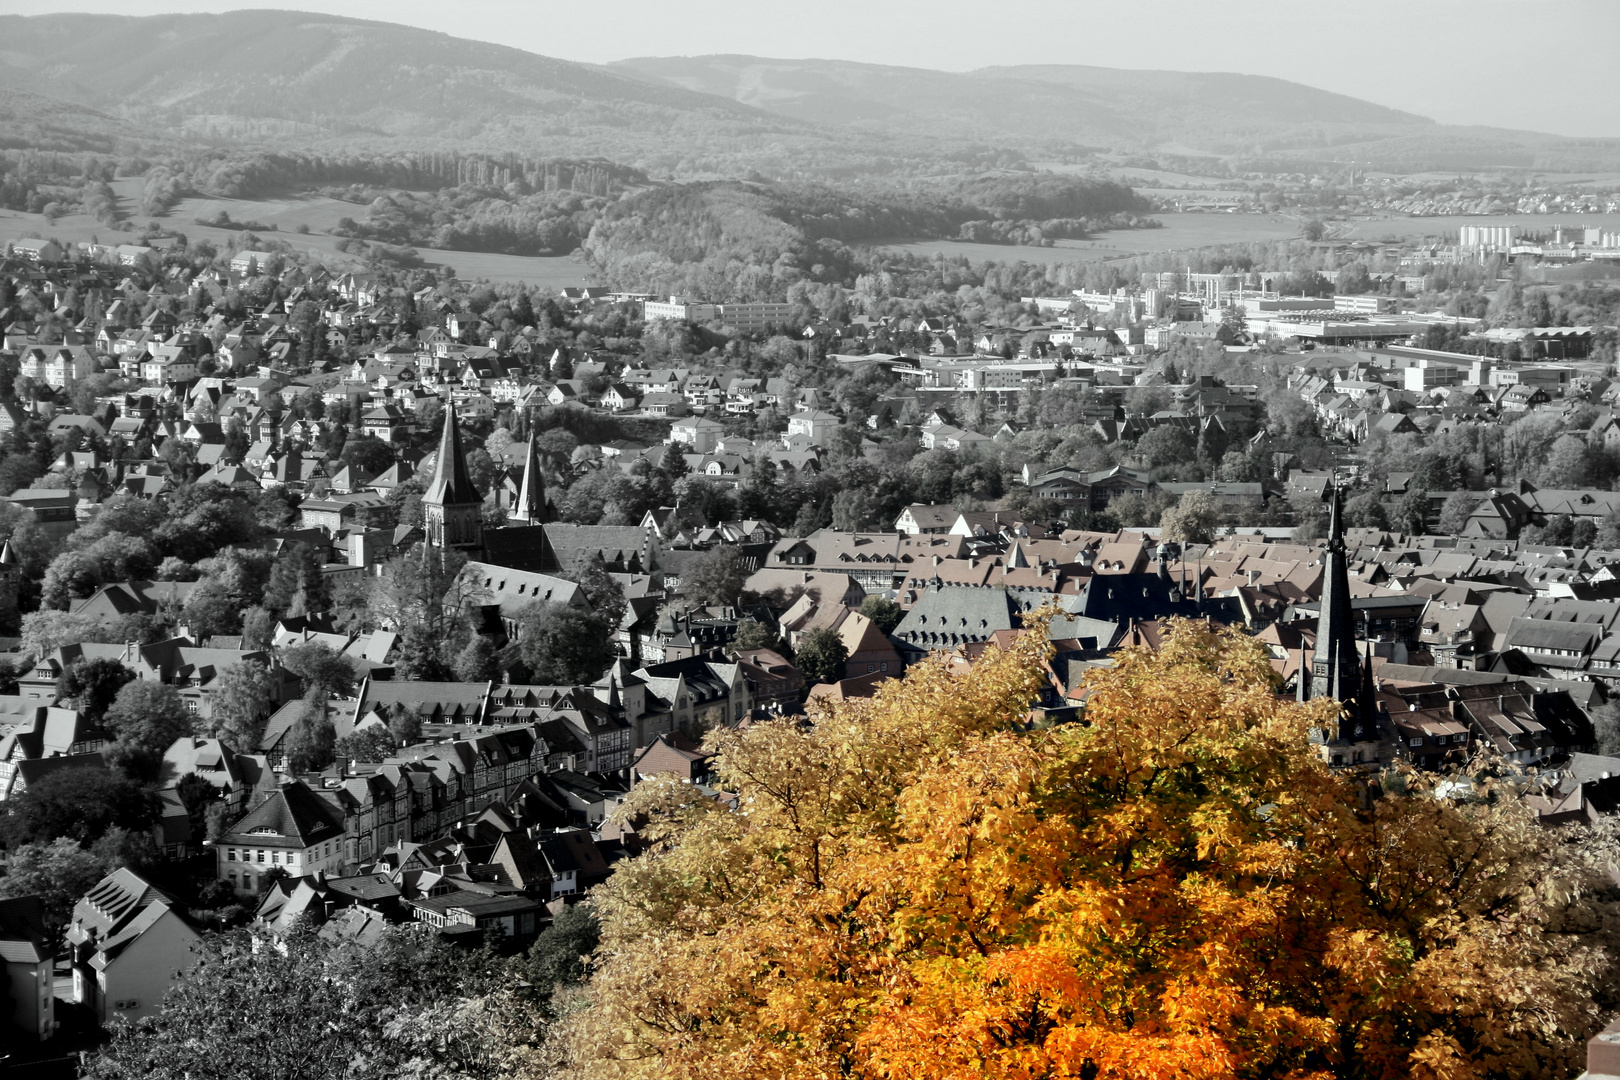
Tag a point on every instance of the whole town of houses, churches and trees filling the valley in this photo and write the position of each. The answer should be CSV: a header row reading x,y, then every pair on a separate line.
x,y
1342,475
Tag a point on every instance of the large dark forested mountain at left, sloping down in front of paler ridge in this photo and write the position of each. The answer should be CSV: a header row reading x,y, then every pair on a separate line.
x,y
292,79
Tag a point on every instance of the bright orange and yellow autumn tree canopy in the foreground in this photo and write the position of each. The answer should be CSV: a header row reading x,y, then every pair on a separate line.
x,y
924,887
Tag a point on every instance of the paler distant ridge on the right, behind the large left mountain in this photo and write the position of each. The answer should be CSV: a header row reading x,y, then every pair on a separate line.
x,y
1041,106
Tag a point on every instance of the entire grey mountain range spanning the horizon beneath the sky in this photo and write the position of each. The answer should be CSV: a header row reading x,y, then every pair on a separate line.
x,y
333,83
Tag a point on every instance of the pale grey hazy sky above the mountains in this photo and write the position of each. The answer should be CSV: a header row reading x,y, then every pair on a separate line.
x,y
1543,66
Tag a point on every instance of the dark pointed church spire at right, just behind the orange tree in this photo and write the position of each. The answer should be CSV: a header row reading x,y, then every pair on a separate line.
x,y
1337,668
